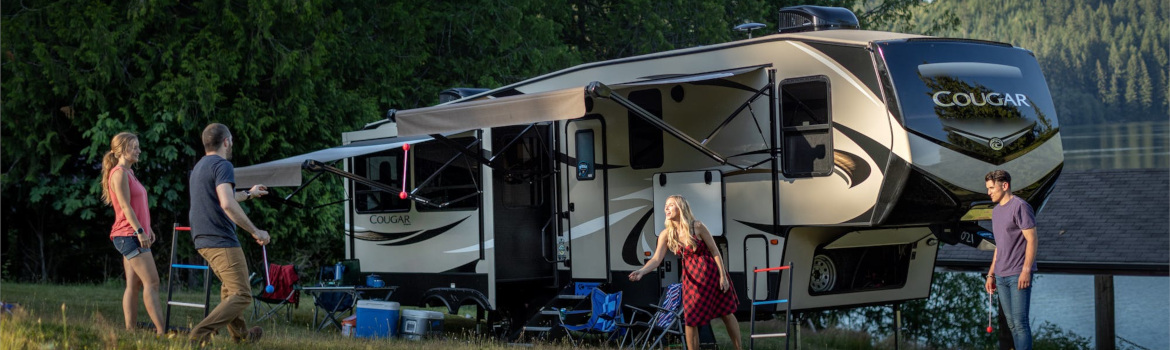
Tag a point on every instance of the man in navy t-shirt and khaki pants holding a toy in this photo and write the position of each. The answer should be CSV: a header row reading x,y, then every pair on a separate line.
x,y
215,214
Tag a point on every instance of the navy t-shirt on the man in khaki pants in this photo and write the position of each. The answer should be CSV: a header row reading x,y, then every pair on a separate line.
x,y
210,225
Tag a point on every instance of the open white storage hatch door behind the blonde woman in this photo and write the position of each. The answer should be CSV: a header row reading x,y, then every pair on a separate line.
x,y
704,191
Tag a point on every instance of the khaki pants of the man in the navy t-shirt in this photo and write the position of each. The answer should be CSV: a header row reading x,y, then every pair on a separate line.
x,y
236,296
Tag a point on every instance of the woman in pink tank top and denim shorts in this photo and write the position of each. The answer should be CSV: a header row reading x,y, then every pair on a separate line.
x,y
132,232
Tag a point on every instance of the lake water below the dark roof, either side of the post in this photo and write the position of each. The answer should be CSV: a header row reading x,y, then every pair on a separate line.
x,y
1143,307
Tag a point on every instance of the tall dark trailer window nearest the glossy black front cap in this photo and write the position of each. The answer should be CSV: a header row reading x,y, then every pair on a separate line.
x,y
807,122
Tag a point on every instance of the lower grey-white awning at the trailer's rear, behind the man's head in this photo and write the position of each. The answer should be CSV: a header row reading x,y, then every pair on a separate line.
x,y
287,173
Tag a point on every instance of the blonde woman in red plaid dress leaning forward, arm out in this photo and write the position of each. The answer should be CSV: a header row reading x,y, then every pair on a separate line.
x,y
707,291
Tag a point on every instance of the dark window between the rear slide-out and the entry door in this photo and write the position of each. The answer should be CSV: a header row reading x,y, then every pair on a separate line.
x,y
525,168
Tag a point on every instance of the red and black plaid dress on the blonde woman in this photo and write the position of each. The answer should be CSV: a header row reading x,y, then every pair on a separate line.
x,y
701,297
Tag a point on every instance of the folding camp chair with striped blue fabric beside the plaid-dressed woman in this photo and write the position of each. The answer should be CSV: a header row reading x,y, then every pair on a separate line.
x,y
666,320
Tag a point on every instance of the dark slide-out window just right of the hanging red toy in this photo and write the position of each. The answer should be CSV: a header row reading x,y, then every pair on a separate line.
x,y
459,181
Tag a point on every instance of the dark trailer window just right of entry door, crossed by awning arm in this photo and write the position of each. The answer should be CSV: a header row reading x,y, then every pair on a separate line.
x,y
645,140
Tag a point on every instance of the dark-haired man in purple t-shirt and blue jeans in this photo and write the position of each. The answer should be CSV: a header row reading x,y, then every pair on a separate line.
x,y
1014,225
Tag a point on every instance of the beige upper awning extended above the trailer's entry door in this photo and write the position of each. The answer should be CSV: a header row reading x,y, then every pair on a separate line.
x,y
529,108
